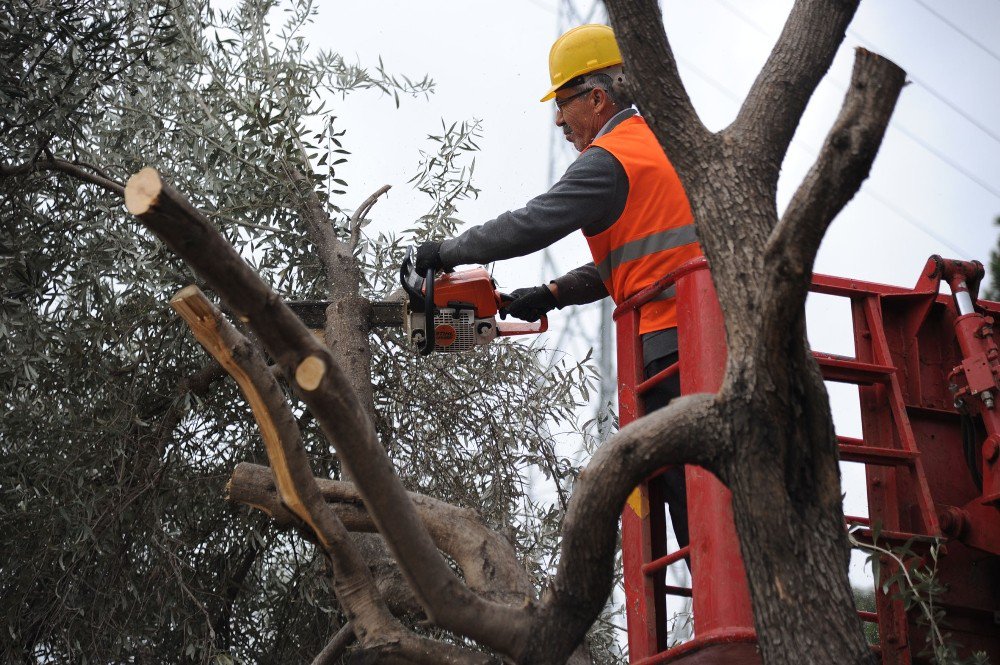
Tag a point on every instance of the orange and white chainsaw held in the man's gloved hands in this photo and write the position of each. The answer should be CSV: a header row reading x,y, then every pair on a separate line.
x,y
446,313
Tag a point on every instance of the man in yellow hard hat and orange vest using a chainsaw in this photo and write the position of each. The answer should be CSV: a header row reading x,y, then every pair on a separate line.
x,y
621,192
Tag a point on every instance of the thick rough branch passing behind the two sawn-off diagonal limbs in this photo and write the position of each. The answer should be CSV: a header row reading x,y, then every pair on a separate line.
x,y
488,562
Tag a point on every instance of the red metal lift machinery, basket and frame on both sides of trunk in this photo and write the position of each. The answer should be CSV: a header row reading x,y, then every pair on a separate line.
x,y
926,368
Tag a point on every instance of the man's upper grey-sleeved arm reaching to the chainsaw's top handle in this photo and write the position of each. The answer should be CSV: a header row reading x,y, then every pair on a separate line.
x,y
590,195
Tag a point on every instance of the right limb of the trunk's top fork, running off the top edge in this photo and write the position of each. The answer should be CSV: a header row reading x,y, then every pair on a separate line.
x,y
799,60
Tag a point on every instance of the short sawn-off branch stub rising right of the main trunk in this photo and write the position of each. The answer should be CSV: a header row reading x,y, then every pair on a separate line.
x,y
843,164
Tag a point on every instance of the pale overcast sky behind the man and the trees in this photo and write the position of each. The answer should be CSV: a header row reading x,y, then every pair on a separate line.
x,y
934,187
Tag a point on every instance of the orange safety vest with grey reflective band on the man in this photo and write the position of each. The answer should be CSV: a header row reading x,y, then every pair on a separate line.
x,y
655,232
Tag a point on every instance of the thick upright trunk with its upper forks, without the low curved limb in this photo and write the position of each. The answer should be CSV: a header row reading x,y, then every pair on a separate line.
x,y
781,452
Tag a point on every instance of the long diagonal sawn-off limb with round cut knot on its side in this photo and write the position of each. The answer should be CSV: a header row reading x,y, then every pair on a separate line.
x,y
319,381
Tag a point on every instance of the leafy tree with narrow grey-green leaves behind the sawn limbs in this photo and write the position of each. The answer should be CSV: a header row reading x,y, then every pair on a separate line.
x,y
118,432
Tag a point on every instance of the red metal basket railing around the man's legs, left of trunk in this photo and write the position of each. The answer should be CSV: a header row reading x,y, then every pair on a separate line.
x,y
723,621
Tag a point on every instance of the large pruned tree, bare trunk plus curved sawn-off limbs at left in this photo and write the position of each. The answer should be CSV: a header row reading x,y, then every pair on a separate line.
x,y
767,434
